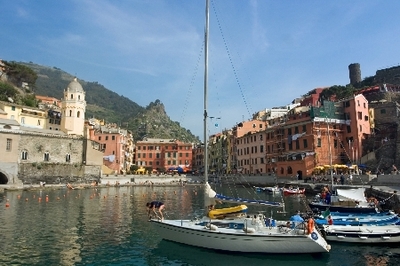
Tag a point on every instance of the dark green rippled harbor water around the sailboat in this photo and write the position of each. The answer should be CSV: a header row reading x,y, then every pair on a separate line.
x,y
109,226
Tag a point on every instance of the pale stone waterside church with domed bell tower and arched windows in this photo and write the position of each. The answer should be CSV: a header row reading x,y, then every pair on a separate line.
x,y
35,153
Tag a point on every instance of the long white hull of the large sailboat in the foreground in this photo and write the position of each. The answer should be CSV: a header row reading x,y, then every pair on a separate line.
x,y
257,240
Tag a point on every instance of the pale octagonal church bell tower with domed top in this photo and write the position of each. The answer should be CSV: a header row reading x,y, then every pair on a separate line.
x,y
73,107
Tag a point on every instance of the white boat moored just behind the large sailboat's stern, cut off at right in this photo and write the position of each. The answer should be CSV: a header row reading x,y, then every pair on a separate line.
x,y
362,234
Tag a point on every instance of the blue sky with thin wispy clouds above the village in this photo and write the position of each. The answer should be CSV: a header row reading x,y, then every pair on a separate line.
x,y
262,53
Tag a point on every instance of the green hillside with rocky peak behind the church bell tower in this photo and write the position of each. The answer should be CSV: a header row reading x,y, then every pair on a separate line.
x,y
102,103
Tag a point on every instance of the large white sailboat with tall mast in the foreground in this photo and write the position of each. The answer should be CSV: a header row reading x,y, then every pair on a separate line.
x,y
244,233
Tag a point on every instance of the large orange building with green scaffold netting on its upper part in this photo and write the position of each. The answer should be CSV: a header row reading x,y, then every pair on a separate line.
x,y
313,137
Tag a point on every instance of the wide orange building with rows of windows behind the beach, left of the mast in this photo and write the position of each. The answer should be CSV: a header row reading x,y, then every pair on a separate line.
x,y
163,154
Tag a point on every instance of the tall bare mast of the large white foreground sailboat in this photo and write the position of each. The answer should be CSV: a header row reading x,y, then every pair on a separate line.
x,y
205,92
